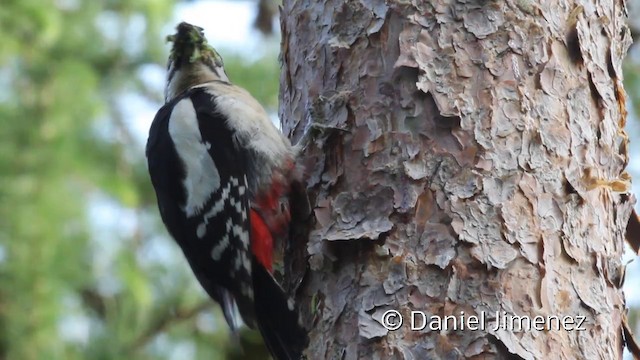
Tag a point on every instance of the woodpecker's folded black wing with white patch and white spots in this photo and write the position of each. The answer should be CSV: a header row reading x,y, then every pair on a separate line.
x,y
198,176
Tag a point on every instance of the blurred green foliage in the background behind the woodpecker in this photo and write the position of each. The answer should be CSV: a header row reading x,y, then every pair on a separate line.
x,y
74,282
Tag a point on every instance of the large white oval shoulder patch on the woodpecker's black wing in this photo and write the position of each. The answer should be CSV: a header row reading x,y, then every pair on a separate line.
x,y
202,178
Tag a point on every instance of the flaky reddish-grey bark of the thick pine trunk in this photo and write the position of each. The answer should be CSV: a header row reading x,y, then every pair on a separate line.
x,y
472,164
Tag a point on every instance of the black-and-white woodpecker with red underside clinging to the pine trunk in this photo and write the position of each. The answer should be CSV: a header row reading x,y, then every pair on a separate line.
x,y
222,172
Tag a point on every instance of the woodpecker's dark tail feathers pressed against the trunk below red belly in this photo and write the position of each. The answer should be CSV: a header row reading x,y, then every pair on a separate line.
x,y
277,320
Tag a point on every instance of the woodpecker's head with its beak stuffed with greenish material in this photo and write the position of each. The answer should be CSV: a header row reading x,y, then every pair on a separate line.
x,y
192,61
